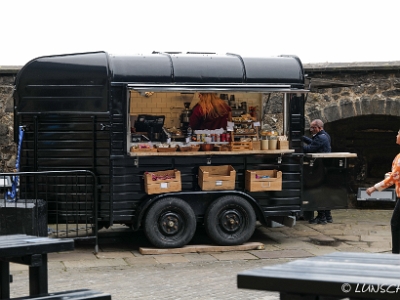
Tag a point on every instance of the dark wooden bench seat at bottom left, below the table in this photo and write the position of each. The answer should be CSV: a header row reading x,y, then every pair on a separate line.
x,y
70,295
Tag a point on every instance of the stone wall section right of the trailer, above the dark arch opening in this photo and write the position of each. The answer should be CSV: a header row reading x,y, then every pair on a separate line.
x,y
375,91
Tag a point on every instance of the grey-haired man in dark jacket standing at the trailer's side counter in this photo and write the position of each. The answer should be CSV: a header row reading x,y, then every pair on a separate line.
x,y
320,142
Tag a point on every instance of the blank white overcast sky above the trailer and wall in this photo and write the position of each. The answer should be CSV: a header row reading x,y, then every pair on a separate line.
x,y
317,31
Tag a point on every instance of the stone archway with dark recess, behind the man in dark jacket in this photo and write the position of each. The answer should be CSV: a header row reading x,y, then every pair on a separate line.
x,y
365,124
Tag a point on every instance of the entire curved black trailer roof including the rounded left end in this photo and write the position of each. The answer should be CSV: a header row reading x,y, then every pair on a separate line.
x,y
82,81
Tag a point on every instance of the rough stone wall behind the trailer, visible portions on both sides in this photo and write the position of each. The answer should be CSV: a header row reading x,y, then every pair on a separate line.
x,y
374,90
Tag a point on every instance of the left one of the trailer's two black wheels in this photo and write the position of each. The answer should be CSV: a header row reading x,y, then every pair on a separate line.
x,y
181,224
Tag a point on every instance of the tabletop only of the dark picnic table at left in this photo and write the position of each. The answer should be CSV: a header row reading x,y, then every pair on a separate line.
x,y
17,245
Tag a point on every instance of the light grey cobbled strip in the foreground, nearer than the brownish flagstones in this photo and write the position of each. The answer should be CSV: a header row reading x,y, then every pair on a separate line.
x,y
212,280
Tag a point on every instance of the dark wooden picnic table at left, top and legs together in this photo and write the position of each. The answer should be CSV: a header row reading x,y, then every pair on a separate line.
x,y
31,251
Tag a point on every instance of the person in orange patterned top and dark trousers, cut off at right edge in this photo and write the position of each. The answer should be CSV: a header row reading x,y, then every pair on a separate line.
x,y
392,178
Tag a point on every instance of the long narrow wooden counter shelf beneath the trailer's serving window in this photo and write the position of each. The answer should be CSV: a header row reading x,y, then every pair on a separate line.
x,y
210,153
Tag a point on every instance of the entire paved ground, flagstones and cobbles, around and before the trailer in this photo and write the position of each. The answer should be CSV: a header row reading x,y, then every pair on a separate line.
x,y
122,271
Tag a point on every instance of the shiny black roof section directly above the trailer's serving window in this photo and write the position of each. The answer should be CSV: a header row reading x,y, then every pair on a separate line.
x,y
183,72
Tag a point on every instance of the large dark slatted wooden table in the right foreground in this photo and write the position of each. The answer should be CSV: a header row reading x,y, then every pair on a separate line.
x,y
332,276
